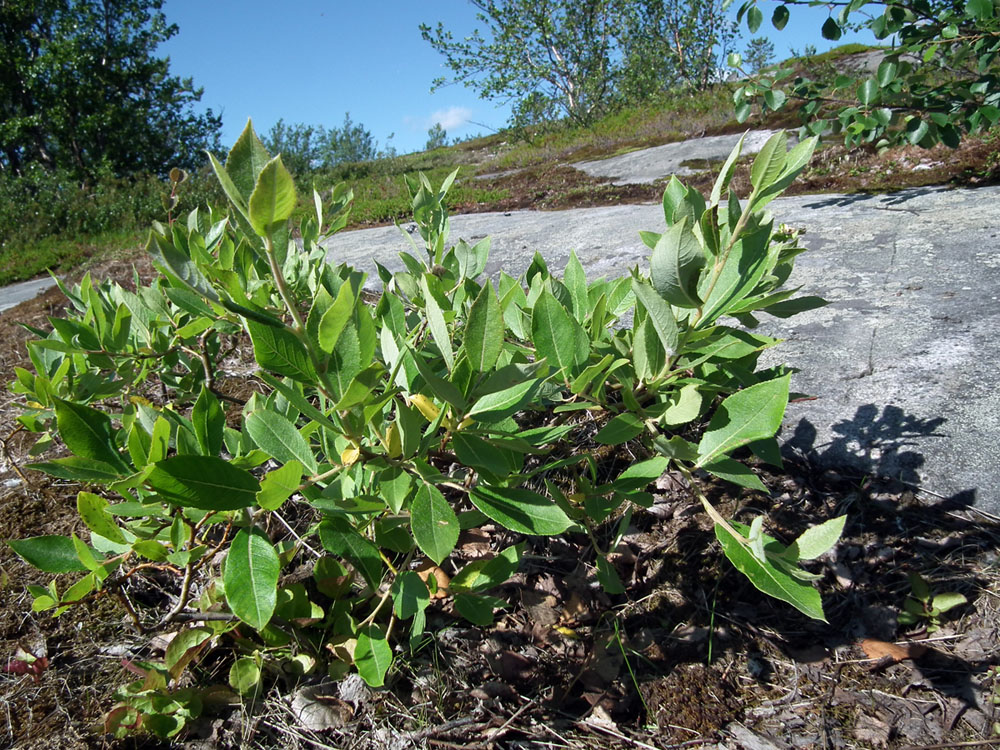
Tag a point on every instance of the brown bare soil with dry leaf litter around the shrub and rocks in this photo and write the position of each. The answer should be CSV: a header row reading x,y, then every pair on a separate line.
x,y
690,656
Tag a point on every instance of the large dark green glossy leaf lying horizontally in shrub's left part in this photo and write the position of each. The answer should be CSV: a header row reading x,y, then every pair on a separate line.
x,y
203,482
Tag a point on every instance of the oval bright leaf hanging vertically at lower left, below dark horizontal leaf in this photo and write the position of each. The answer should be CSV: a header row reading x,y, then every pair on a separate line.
x,y
250,575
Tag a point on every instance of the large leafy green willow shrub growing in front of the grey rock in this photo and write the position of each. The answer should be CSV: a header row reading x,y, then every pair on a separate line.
x,y
381,430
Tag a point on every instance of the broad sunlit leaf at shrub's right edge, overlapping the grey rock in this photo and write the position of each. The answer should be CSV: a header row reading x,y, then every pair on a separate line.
x,y
748,415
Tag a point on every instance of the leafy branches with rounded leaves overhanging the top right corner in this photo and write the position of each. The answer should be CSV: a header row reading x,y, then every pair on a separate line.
x,y
937,82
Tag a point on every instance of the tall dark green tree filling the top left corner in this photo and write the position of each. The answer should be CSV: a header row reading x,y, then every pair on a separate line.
x,y
81,88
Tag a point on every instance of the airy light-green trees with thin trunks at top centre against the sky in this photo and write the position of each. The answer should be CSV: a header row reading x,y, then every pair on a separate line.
x,y
578,58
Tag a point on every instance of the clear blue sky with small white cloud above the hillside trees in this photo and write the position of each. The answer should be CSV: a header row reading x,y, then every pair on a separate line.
x,y
311,61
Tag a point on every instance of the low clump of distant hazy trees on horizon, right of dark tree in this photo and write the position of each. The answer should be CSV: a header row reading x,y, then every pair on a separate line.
x,y
308,147
